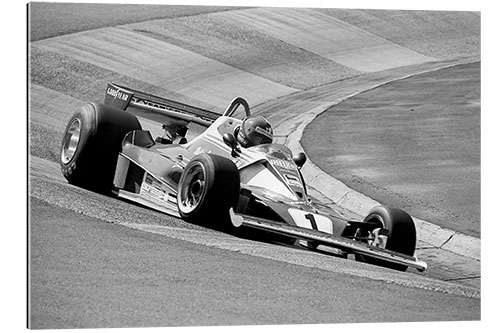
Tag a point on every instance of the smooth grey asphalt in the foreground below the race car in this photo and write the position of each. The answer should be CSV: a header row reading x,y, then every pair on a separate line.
x,y
130,278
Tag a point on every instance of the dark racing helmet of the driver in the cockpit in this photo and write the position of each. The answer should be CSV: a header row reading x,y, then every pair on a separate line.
x,y
254,131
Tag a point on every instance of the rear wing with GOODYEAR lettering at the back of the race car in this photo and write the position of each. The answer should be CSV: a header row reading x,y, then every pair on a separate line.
x,y
155,108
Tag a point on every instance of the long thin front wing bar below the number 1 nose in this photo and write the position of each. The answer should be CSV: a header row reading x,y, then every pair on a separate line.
x,y
345,244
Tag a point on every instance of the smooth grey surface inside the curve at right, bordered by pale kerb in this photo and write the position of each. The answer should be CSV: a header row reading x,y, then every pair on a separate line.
x,y
407,149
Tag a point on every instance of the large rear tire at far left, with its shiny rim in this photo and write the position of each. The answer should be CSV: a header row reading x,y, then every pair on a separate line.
x,y
91,143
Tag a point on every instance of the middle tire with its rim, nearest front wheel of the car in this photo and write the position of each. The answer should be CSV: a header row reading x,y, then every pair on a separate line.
x,y
208,187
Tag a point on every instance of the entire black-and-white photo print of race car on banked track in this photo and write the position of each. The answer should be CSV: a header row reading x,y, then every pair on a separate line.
x,y
253,165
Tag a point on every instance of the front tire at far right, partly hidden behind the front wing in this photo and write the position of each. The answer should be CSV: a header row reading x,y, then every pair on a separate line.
x,y
402,236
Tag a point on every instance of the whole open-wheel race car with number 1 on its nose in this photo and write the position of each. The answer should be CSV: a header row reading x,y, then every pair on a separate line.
x,y
226,172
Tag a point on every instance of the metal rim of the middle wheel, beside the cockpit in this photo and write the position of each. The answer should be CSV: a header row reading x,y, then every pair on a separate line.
x,y
193,188
